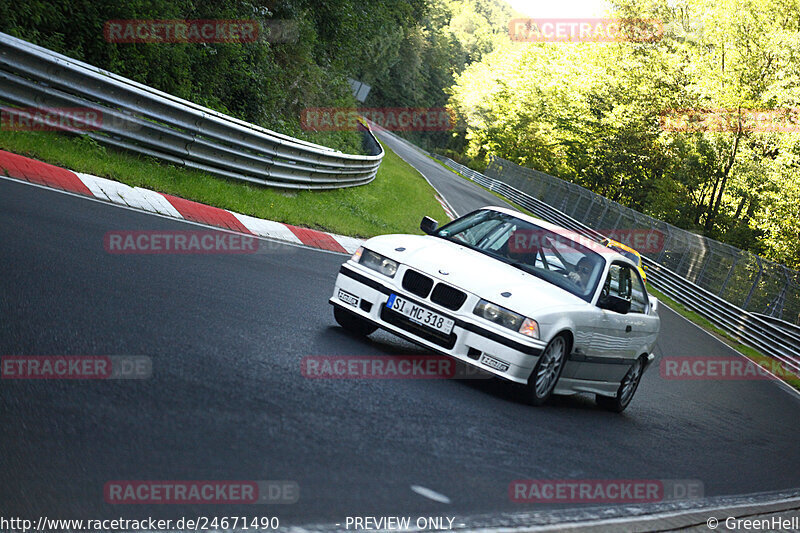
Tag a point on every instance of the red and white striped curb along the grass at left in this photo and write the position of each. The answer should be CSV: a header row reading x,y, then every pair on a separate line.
x,y
23,168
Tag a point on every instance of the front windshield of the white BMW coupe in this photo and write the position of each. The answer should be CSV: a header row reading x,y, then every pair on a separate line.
x,y
557,259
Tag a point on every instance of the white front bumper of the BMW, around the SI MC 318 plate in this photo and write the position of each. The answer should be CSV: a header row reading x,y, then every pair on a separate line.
x,y
507,355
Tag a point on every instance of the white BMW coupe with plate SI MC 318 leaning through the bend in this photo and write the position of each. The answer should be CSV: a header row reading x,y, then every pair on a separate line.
x,y
523,299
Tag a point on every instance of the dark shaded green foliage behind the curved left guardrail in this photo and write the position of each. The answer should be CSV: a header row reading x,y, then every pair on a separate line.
x,y
265,82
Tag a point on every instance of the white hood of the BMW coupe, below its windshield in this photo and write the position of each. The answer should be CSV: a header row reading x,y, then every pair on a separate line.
x,y
476,273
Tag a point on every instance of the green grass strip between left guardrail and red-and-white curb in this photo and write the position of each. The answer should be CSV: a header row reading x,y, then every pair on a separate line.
x,y
363,211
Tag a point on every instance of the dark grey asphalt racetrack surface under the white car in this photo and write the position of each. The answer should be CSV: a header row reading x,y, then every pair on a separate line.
x,y
226,335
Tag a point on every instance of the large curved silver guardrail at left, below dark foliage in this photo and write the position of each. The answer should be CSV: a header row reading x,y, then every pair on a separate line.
x,y
149,122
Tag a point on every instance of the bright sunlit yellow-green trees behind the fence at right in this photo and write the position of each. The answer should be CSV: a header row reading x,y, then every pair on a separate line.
x,y
593,113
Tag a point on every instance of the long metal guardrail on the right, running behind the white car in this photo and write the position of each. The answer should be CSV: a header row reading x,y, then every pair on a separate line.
x,y
747,328
